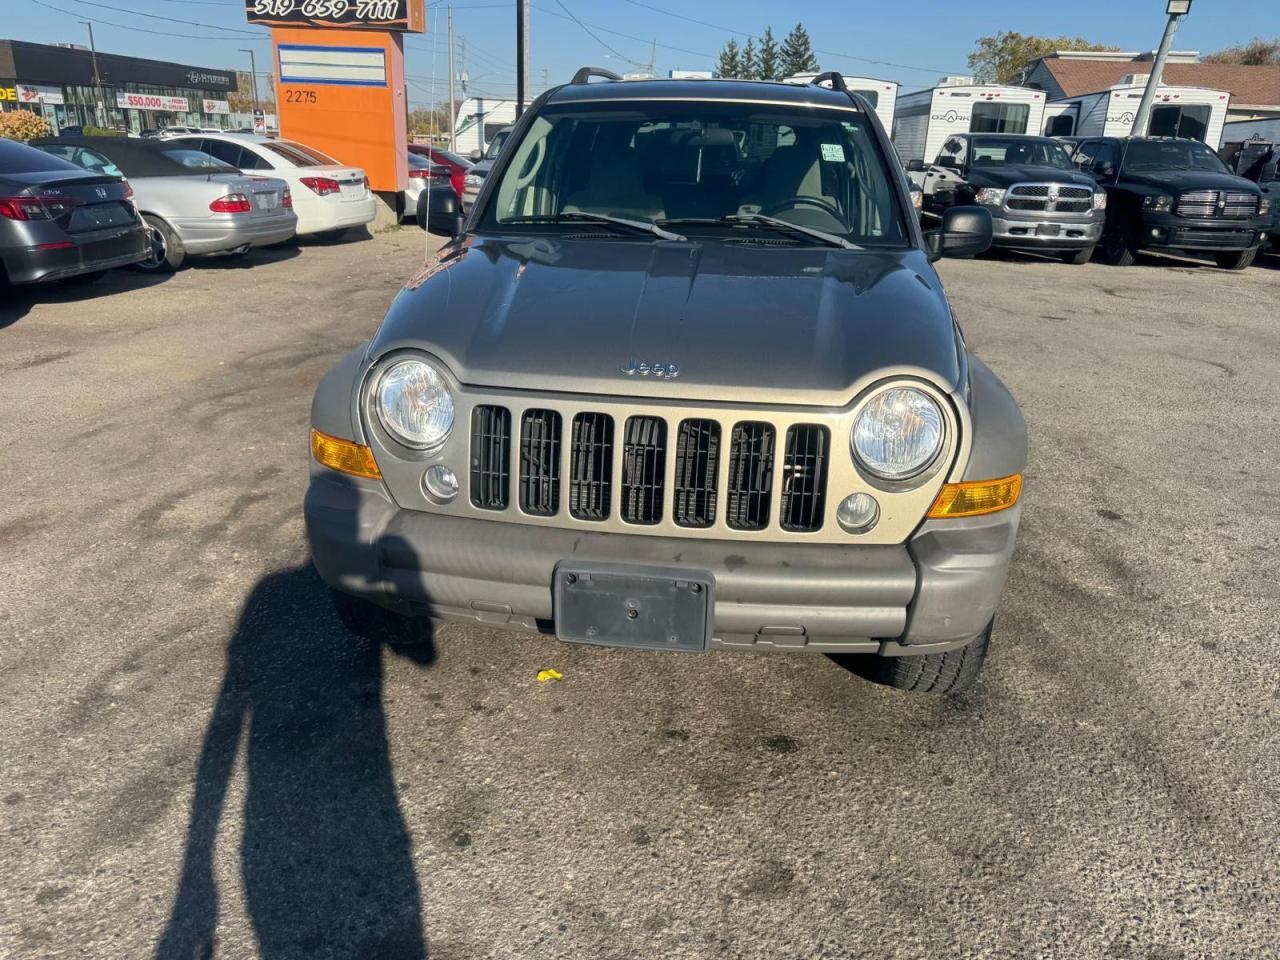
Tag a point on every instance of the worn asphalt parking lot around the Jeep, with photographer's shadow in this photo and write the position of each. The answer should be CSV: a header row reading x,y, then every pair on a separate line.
x,y
200,762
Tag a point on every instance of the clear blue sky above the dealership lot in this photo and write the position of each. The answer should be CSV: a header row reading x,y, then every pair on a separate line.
x,y
913,43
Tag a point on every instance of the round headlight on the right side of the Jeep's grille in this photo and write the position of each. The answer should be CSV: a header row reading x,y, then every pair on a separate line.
x,y
899,433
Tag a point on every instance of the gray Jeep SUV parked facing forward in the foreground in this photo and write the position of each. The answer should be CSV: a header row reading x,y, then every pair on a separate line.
x,y
684,378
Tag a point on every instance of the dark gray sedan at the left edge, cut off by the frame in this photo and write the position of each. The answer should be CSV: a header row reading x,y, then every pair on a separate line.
x,y
60,222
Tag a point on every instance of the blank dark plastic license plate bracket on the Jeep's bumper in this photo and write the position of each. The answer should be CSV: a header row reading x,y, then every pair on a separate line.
x,y
651,609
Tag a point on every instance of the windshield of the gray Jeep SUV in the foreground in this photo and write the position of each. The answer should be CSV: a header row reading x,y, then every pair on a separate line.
x,y
703,161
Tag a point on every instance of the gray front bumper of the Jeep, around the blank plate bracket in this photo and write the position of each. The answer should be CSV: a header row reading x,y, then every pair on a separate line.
x,y
936,592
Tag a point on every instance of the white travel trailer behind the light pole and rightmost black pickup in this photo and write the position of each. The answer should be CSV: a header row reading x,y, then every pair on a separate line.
x,y
1196,113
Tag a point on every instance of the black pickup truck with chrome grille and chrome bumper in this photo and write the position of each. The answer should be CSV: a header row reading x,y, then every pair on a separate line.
x,y
1037,200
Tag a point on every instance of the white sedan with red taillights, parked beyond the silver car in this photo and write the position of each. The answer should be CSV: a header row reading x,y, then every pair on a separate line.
x,y
328,196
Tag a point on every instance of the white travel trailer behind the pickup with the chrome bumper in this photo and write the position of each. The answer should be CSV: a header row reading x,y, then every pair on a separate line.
x,y
958,106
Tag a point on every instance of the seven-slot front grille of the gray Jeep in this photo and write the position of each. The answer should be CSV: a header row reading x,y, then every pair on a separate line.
x,y
591,463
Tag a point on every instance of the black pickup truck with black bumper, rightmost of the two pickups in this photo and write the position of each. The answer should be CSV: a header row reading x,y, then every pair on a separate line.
x,y
1167,194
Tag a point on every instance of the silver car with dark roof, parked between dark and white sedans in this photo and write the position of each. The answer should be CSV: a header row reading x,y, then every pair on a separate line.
x,y
193,203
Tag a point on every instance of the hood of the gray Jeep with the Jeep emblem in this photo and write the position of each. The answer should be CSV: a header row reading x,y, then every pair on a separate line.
x,y
743,322
